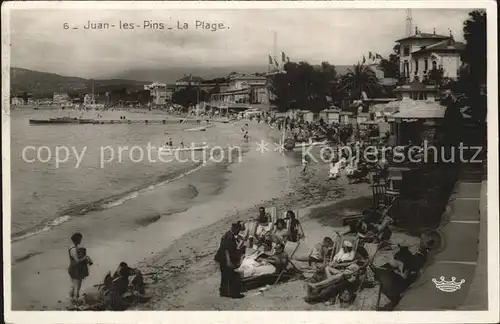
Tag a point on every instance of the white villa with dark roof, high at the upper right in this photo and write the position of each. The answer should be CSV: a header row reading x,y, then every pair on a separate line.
x,y
422,52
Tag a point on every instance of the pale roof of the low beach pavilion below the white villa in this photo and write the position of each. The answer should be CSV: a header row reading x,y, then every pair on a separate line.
x,y
411,109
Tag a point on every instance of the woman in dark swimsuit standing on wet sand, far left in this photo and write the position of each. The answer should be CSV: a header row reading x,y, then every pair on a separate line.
x,y
78,266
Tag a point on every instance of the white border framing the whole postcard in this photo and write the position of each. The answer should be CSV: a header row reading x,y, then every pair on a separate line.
x,y
491,316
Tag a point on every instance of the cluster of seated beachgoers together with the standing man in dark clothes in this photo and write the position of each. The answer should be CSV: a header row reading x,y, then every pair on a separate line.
x,y
253,248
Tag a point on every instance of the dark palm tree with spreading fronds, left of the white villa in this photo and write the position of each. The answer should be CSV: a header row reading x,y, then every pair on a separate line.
x,y
358,79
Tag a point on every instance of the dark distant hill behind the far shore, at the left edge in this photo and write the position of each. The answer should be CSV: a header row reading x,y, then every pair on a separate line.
x,y
42,84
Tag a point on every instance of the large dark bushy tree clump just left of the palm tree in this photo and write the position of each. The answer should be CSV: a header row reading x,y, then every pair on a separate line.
x,y
303,86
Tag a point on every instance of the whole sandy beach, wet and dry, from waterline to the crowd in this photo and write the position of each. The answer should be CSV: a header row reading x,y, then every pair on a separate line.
x,y
175,246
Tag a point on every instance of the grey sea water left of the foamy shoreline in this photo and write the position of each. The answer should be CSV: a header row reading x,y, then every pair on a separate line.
x,y
46,194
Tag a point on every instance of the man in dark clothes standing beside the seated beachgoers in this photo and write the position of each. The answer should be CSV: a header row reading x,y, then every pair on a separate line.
x,y
228,258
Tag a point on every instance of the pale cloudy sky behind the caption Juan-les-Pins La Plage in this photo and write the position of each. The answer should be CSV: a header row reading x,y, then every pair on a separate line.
x,y
339,36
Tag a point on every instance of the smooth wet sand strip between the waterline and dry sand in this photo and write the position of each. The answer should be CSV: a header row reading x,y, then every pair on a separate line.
x,y
40,281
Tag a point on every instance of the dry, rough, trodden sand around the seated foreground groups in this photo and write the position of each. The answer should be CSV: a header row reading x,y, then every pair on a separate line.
x,y
185,277
